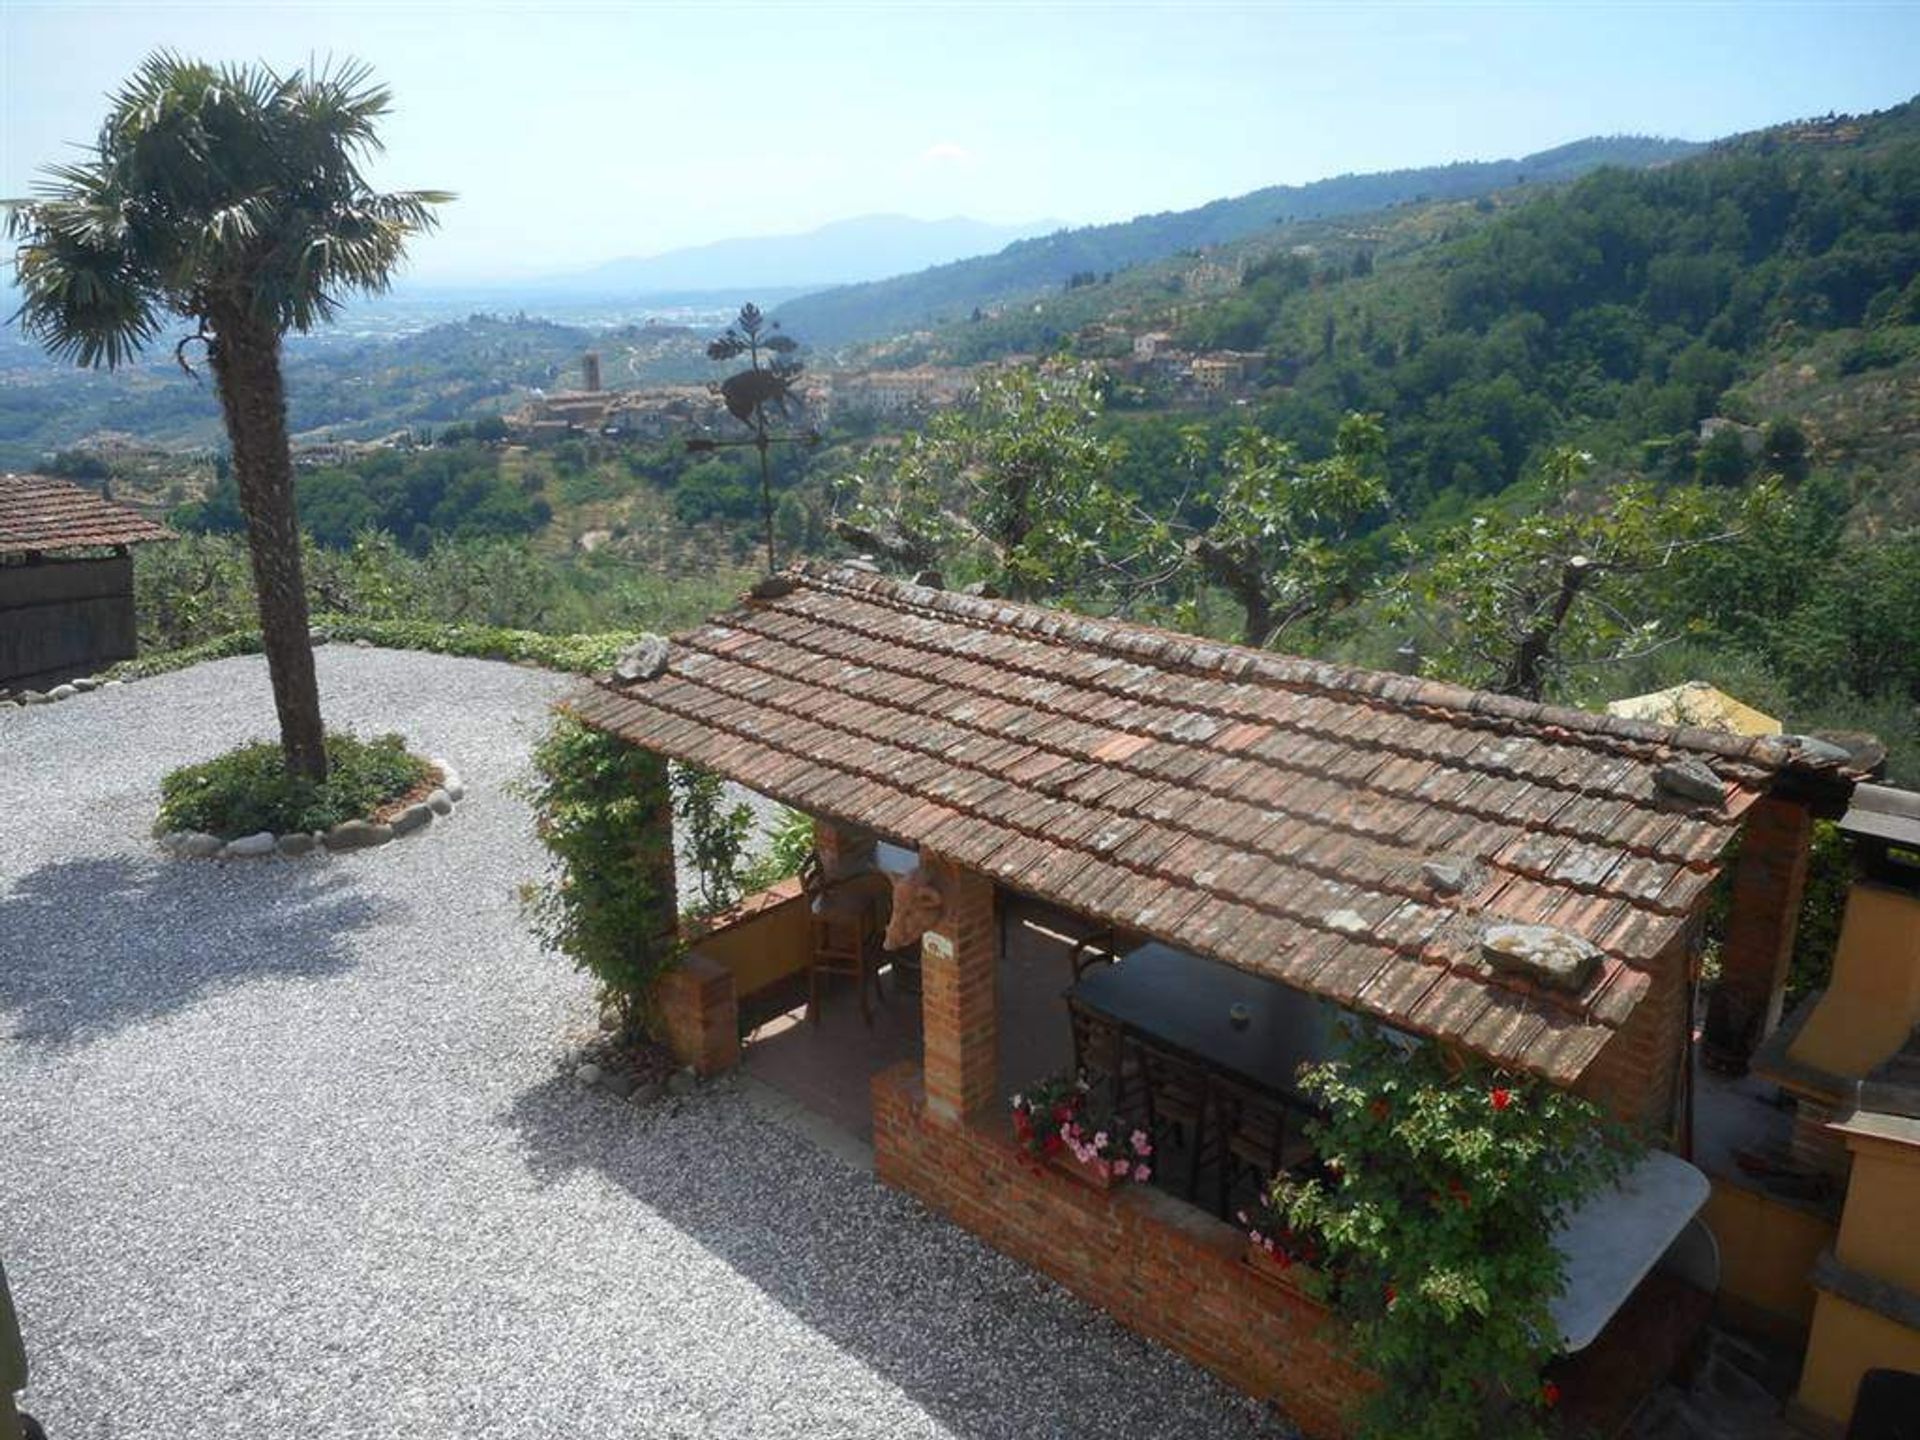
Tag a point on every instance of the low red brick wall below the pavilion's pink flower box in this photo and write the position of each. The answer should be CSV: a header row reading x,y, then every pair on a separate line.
x,y
1159,1266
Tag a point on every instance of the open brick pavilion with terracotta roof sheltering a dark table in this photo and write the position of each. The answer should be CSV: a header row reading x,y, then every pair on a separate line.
x,y
1234,855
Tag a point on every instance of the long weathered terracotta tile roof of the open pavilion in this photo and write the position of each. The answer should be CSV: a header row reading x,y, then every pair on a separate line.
x,y
1268,811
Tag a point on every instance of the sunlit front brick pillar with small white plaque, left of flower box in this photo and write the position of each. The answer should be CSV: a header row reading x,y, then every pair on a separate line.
x,y
959,996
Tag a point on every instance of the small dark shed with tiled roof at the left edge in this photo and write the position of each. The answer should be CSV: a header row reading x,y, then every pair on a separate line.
x,y
66,581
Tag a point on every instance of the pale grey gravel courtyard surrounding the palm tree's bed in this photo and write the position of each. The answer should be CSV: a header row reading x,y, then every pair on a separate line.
x,y
287,1151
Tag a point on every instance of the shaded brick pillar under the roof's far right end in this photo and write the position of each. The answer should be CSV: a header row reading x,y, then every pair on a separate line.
x,y
1760,934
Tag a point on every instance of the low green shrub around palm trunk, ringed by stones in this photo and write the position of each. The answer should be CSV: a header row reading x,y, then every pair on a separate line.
x,y
247,792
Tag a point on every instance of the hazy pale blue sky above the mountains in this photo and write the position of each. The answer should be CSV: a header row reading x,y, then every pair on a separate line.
x,y
587,132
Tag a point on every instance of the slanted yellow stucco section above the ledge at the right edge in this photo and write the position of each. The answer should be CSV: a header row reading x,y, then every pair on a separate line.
x,y
1873,1003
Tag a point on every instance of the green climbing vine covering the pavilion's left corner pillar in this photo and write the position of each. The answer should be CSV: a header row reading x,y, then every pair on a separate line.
x,y
596,809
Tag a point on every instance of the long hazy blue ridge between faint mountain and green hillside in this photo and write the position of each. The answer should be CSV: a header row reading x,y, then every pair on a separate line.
x,y
949,293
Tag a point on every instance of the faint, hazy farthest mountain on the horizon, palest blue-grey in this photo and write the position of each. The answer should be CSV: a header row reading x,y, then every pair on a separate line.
x,y
844,252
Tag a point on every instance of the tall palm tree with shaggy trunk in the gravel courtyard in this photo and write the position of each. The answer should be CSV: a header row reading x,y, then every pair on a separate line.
x,y
228,197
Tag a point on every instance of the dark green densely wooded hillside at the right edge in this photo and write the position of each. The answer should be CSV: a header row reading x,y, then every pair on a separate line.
x,y
1775,277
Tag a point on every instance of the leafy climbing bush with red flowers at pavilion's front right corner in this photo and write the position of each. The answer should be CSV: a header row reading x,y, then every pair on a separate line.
x,y
1443,1188
